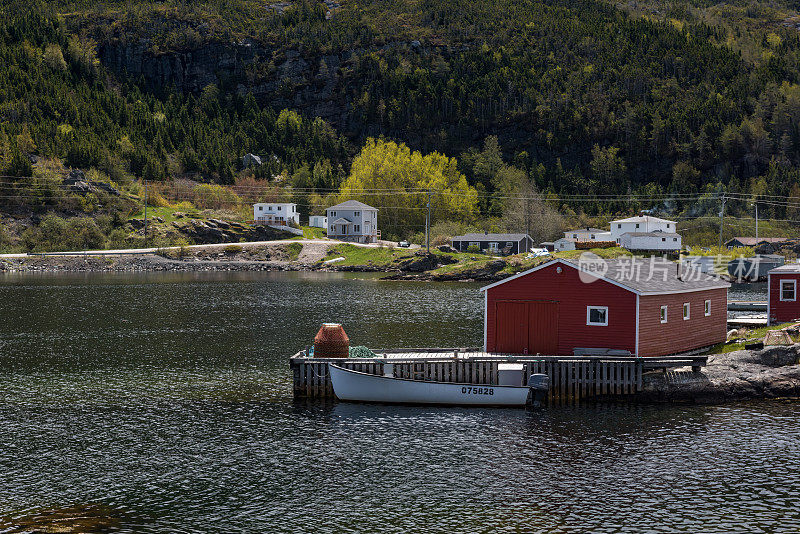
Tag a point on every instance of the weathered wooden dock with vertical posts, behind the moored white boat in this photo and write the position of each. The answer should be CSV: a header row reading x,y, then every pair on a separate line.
x,y
572,378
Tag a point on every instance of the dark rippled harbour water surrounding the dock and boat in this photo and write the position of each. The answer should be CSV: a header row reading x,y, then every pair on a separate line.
x,y
167,398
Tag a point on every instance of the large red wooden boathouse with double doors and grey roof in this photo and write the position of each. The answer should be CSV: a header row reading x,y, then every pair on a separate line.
x,y
643,306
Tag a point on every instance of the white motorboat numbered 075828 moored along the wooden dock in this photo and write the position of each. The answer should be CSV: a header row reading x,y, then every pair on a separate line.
x,y
351,385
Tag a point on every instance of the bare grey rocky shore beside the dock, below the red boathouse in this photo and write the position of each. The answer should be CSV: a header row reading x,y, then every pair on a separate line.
x,y
771,373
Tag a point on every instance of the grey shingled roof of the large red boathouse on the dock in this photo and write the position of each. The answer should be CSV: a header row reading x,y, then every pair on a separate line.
x,y
654,276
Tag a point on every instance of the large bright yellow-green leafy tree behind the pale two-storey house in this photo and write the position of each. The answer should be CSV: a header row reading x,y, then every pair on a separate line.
x,y
398,181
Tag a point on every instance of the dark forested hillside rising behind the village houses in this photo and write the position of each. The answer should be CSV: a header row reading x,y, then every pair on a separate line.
x,y
553,97
